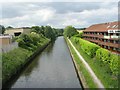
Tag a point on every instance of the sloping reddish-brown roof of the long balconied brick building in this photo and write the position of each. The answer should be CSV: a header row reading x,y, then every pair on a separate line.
x,y
103,27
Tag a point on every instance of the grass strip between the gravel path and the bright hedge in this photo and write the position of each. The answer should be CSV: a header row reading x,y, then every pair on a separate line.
x,y
102,71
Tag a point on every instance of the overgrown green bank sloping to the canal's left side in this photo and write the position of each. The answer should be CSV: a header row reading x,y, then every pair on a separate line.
x,y
14,61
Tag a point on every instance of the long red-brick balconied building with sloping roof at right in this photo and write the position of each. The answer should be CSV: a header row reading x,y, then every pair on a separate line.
x,y
106,35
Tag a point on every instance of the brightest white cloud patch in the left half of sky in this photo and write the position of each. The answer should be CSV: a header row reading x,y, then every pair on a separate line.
x,y
31,18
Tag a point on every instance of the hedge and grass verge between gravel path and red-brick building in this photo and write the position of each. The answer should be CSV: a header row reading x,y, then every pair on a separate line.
x,y
102,62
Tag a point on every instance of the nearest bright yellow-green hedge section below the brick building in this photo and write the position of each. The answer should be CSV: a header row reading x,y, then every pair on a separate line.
x,y
108,58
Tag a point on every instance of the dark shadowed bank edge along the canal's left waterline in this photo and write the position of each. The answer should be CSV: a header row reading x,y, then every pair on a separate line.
x,y
28,61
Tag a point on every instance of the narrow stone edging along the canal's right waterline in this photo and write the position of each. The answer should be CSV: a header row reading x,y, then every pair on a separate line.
x,y
79,75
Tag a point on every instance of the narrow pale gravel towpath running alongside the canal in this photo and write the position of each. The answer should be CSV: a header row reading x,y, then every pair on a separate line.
x,y
94,77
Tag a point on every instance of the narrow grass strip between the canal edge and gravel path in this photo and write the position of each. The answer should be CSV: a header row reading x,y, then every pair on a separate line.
x,y
85,77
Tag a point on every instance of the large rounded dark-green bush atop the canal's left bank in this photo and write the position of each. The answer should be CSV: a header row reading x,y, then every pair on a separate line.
x,y
30,41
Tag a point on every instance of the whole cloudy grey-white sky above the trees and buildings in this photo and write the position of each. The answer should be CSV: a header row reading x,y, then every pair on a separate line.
x,y
57,14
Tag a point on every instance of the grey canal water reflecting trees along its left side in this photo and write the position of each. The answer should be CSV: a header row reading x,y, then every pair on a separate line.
x,y
53,68
